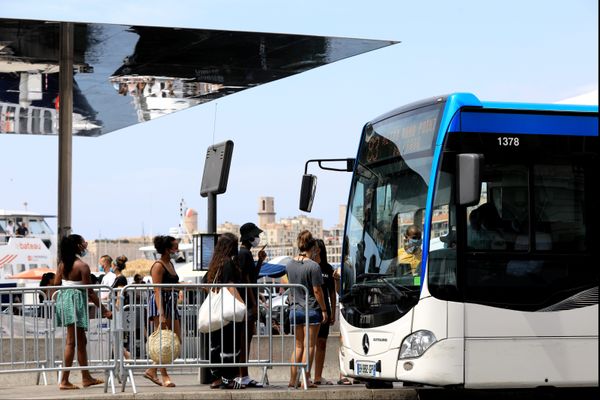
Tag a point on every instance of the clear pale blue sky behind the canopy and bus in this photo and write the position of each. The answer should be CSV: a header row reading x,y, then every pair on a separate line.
x,y
131,182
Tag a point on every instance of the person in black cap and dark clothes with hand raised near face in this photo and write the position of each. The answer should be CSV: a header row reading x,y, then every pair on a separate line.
x,y
250,237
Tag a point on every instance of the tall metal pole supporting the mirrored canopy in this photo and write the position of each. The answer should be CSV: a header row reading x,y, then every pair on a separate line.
x,y
65,128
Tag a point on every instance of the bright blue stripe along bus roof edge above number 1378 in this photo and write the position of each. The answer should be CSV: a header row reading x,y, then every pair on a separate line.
x,y
526,124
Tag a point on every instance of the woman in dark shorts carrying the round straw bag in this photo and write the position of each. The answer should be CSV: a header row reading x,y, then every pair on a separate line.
x,y
163,301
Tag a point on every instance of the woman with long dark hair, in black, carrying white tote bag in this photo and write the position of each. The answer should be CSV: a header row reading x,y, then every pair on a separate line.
x,y
225,344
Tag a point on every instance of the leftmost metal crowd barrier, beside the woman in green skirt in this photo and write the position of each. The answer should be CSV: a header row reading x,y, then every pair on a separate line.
x,y
31,340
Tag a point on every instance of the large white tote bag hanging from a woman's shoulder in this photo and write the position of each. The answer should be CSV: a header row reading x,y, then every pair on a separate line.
x,y
219,309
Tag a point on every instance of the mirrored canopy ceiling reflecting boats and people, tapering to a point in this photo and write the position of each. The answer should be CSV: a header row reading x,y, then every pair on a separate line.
x,y
124,74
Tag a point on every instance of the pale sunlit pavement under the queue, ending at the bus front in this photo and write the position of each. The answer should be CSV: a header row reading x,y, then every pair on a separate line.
x,y
189,388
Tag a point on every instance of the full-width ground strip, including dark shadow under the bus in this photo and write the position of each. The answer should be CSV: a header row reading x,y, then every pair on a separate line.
x,y
189,388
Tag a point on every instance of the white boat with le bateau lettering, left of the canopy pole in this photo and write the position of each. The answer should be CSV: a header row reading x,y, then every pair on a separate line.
x,y
22,253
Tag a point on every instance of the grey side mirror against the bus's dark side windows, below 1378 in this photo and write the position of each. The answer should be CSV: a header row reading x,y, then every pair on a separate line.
x,y
468,178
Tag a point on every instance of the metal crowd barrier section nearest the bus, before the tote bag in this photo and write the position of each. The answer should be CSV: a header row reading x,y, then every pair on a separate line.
x,y
135,327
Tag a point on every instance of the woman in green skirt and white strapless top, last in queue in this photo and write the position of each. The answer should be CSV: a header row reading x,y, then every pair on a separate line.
x,y
72,306
